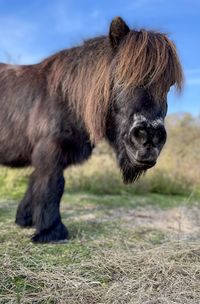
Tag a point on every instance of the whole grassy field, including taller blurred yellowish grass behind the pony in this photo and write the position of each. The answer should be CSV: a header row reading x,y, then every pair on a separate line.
x,y
128,244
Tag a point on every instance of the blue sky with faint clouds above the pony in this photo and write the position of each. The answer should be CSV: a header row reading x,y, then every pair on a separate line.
x,y
32,30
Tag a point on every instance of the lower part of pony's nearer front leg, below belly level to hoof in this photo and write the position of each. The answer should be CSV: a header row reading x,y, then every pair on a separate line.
x,y
46,215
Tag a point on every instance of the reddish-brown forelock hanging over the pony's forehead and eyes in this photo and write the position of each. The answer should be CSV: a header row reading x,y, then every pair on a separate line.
x,y
148,59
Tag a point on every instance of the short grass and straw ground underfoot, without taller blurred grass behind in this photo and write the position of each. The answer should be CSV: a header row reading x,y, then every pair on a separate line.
x,y
122,249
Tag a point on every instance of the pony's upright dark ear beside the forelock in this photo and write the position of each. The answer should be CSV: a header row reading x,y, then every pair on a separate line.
x,y
118,29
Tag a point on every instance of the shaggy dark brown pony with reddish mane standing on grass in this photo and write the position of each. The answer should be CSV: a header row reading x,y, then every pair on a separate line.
x,y
53,113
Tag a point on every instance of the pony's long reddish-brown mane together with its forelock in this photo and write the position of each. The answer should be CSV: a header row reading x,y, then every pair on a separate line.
x,y
85,73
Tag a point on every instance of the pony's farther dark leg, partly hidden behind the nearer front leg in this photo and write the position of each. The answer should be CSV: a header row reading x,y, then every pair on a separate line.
x,y
25,208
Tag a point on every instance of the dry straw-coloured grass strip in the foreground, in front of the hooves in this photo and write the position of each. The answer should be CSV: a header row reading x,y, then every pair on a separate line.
x,y
168,273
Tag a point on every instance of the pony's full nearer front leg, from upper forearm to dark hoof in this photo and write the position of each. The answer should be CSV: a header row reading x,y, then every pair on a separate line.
x,y
47,191
